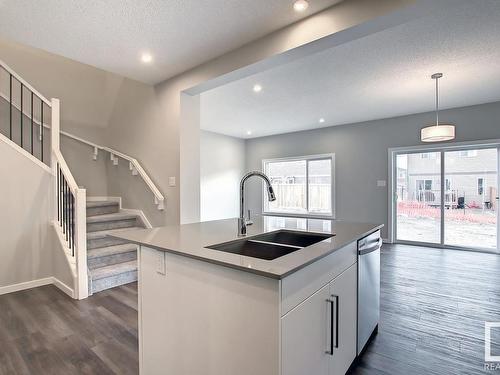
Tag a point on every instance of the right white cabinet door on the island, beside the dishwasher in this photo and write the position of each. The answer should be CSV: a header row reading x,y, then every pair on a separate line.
x,y
343,293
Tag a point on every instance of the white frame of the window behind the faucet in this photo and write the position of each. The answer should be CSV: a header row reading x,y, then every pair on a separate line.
x,y
306,158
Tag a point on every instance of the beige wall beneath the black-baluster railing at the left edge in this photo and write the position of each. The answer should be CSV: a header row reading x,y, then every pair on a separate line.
x,y
25,212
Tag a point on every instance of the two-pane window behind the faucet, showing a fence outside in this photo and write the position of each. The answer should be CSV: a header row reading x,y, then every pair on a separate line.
x,y
303,186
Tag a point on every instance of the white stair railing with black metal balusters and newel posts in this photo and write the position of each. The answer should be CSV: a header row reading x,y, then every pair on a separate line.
x,y
28,131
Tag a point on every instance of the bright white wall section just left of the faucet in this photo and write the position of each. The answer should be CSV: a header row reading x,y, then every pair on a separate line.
x,y
222,164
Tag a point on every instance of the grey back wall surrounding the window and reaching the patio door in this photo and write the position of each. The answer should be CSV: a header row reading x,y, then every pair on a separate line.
x,y
361,154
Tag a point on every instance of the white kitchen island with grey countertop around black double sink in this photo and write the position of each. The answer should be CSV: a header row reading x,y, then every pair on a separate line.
x,y
209,311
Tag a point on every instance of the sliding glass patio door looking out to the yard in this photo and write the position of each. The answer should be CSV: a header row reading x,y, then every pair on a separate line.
x,y
447,197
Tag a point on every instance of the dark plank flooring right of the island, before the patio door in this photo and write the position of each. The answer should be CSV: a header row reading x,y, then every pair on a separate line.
x,y
433,307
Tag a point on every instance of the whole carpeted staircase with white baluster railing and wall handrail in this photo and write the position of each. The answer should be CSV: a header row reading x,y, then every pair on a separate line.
x,y
30,123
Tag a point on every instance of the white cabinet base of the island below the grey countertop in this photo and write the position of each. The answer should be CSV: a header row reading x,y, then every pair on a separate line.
x,y
202,318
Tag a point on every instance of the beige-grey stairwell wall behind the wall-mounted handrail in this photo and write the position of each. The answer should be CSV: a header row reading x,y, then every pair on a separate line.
x,y
103,108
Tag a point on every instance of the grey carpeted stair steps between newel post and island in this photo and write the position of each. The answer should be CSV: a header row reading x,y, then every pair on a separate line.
x,y
111,261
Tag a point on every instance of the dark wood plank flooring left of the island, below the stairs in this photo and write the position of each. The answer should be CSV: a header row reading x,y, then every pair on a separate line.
x,y
43,331
